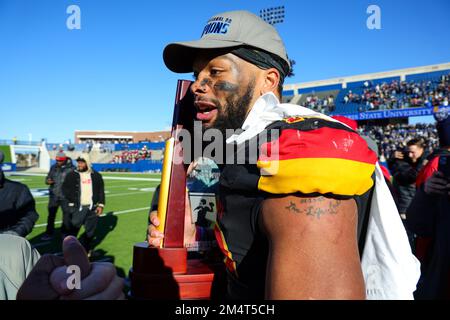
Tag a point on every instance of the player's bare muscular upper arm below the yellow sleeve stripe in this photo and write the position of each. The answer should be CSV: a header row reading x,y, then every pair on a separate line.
x,y
313,251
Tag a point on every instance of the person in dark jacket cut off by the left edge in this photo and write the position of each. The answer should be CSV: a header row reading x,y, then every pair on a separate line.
x,y
17,207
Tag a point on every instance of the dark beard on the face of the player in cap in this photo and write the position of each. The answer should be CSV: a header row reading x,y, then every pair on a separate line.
x,y
236,111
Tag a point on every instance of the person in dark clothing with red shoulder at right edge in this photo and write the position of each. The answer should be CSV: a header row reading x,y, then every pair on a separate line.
x,y
429,218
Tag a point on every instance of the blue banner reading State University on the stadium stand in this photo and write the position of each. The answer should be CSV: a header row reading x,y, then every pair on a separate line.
x,y
394,113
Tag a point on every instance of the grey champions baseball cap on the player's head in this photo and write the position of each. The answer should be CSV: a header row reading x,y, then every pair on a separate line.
x,y
226,30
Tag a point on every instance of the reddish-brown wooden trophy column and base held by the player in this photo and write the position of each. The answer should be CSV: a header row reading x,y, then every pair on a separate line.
x,y
166,273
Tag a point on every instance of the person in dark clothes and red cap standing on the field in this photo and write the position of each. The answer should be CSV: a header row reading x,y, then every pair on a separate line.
x,y
54,180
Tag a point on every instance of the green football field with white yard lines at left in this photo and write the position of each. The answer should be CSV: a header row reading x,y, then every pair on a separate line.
x,y
124,222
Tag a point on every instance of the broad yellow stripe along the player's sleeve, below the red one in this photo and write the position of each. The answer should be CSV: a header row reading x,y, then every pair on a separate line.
x,y
316,175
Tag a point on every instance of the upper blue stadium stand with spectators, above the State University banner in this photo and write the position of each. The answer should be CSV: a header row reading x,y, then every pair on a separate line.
x,y
392,90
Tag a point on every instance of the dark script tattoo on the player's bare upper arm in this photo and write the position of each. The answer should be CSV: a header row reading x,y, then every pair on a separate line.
x,y
314,207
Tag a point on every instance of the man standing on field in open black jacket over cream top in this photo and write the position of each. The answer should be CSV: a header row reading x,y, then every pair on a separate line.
x,y
85,194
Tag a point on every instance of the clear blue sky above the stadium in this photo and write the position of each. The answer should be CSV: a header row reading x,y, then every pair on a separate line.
x,y
109,75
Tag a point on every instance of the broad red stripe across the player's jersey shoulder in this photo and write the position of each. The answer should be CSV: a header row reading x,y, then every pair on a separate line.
x,y
320,143
